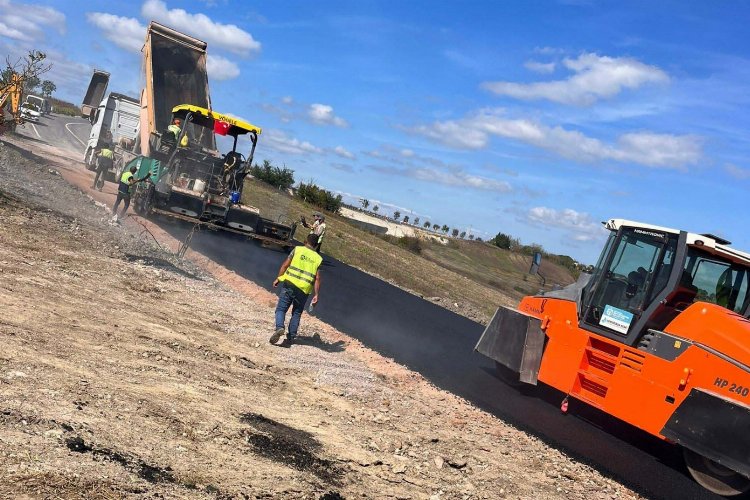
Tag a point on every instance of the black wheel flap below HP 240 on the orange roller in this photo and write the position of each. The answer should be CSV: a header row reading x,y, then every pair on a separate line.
x,y
714,427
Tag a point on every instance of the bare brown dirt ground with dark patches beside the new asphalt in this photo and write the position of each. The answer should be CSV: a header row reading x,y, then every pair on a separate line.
x,y
126,372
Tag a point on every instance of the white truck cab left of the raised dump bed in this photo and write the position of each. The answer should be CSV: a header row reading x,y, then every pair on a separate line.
x,y
116,122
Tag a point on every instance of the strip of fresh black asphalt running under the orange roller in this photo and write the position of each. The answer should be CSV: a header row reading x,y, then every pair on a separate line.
x,y
439,344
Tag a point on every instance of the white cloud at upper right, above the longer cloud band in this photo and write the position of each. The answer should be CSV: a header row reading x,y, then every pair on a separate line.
x,y
595,77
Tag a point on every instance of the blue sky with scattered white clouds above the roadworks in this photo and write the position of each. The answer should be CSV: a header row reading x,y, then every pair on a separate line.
x,y
538,119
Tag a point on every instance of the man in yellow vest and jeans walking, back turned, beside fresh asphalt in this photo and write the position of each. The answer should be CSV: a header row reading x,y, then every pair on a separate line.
x,y
299,275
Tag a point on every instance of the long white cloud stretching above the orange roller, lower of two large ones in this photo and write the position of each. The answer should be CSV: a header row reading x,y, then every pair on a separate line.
x,y
645,148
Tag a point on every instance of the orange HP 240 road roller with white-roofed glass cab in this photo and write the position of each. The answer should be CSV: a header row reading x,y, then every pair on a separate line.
x,y
657,336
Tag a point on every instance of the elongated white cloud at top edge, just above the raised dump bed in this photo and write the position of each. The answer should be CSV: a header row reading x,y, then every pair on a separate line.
x,y
226,36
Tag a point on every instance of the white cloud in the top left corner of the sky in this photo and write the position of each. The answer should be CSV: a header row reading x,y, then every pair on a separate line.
x,y
28,22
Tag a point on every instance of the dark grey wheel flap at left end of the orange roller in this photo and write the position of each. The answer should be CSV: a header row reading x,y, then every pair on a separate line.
x,y
514,340
